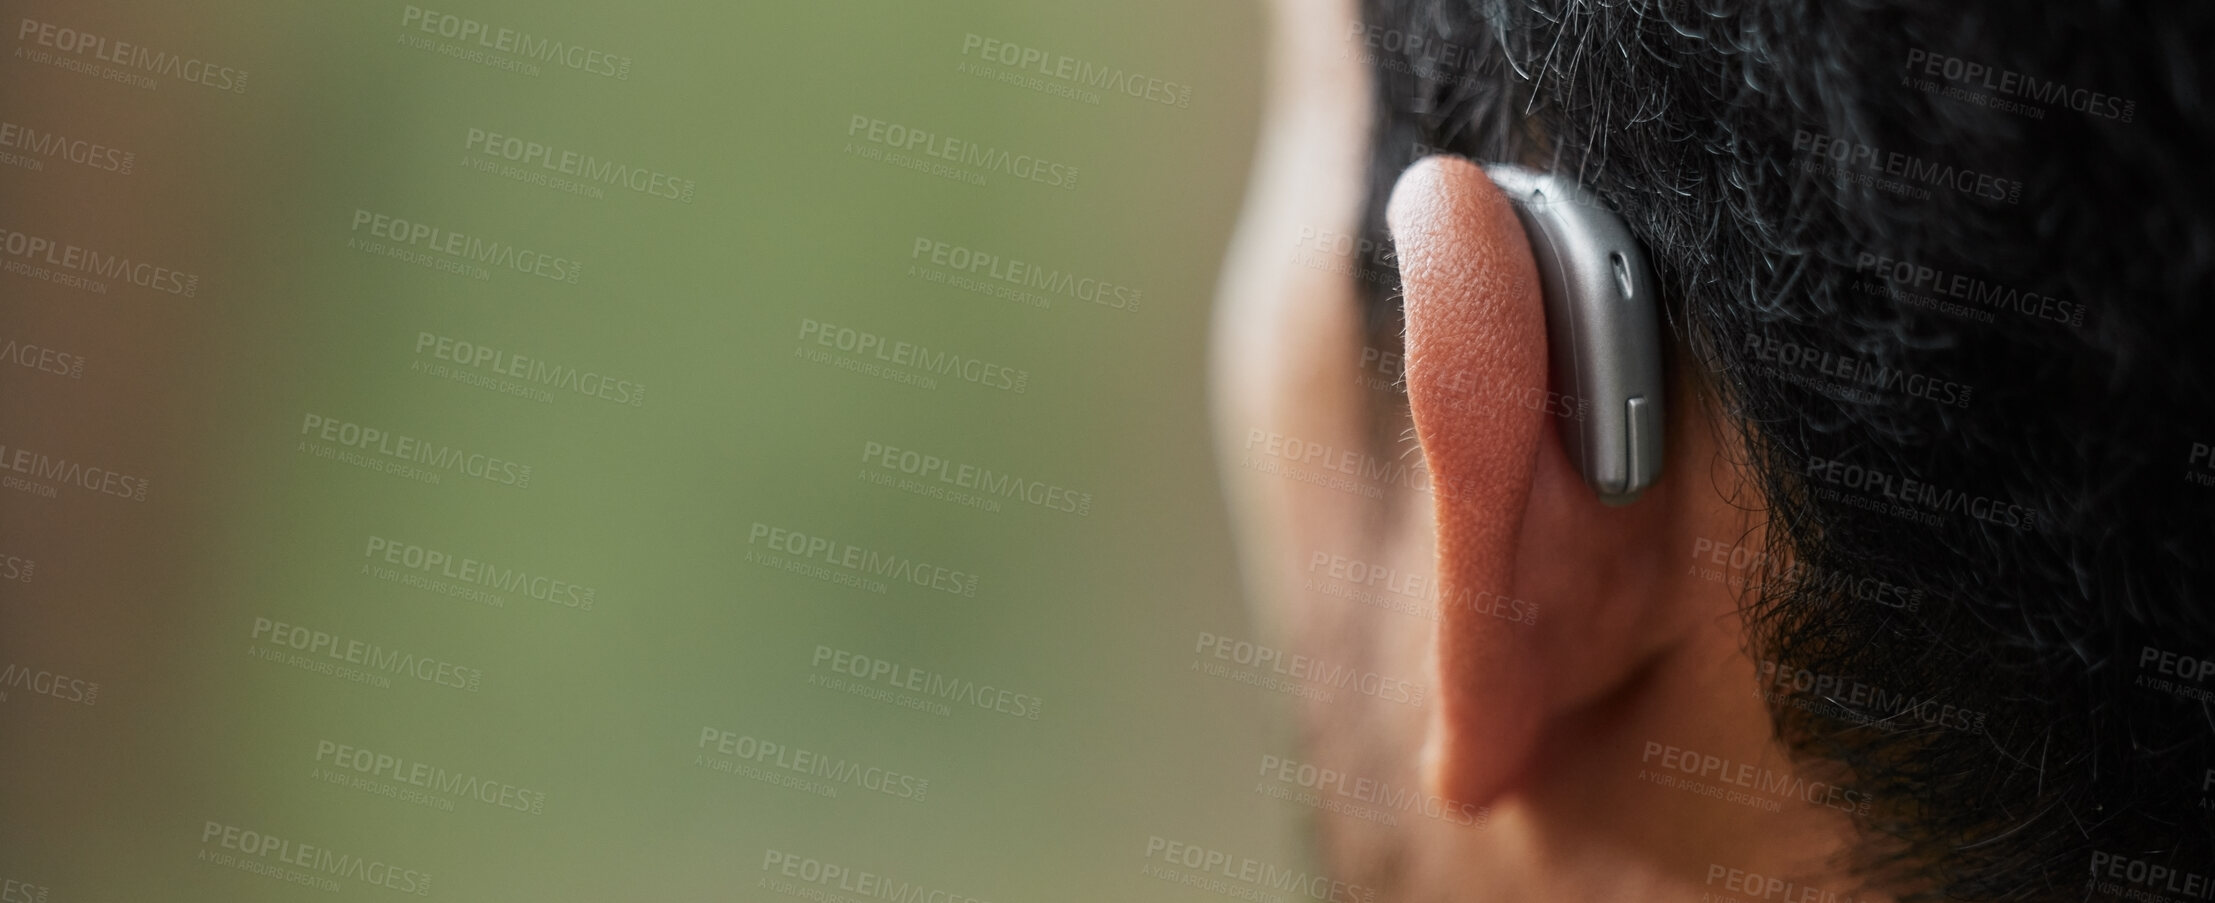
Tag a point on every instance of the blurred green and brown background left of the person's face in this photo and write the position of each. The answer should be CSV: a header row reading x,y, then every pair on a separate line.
x,y
550,450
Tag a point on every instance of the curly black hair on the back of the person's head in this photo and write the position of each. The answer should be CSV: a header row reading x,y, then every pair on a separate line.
x,y
1950,269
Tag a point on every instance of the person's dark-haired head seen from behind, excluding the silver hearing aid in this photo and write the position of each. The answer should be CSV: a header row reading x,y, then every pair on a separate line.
x,y
1913,610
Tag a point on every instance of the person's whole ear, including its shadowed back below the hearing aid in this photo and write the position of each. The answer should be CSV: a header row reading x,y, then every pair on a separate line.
x,y
1516,526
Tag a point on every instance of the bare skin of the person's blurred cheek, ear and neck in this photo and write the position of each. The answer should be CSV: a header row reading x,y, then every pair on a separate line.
x,y
1543,723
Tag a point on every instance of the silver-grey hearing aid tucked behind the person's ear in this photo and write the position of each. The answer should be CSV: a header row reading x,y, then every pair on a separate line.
x,y
1603,331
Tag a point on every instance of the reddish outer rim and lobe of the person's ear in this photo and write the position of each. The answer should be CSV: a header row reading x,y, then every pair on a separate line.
x,y
1476,342
